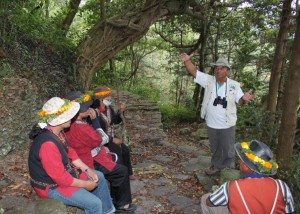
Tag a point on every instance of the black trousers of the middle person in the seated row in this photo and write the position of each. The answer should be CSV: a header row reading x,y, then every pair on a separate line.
x,y
119,183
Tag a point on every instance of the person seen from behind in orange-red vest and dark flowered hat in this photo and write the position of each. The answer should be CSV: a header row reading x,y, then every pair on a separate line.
x,y
256,191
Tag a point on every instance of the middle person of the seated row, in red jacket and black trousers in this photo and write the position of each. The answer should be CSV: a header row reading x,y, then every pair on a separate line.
x,y
84,138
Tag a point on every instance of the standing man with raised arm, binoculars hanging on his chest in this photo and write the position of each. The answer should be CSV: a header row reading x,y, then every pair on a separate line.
x,y
221,96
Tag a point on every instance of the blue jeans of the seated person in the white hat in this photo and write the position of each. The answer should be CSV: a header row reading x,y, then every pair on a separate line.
x,y
97,201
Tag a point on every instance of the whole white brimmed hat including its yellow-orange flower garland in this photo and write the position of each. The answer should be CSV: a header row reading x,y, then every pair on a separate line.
x,y
57,111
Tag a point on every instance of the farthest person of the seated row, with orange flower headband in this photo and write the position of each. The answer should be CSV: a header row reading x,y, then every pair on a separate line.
x,y
107,118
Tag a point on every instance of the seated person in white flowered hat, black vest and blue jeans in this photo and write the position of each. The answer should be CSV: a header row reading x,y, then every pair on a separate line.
x,y
55,169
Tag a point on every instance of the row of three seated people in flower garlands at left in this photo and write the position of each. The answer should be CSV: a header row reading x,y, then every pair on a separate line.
x,y
74,151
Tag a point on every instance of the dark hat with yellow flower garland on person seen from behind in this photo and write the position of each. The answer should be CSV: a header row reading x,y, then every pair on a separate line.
x,y
257,156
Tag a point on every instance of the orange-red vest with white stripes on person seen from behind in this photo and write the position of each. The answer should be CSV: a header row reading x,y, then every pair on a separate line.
x,y
259,195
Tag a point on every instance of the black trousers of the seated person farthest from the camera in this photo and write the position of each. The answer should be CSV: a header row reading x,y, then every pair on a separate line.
x,y
123,153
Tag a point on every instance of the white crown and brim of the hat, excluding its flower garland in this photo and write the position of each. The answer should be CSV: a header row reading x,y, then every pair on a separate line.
x,y
53,105
